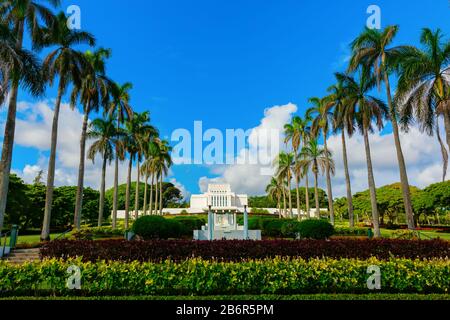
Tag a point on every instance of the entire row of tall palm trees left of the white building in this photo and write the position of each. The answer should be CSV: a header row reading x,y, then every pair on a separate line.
x,y
120,133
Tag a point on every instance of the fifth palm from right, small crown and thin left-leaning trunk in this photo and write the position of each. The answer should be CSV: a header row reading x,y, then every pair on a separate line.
x,y
322,121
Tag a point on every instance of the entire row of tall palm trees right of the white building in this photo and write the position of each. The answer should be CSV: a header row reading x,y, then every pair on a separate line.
x,y
422,97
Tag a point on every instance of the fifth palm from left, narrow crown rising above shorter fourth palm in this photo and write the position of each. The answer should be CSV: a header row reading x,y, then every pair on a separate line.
x,y
120,107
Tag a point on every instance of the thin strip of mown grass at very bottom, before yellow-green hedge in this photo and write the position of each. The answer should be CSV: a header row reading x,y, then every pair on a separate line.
x,y
256,297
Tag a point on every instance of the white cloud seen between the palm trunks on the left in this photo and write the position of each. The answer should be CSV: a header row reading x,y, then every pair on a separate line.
x,y
33,130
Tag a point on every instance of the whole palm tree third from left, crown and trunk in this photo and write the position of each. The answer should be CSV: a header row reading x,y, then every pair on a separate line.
x,y
93,93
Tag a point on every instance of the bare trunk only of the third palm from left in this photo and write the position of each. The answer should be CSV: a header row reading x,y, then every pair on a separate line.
x,y
79,198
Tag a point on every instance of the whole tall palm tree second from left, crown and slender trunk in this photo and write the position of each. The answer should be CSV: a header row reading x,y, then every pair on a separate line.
x,y
68,64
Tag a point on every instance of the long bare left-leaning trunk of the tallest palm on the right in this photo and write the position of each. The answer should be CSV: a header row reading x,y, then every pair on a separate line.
x,y
400,158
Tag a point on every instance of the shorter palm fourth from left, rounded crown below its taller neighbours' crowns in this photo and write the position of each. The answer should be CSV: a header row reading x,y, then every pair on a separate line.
x,y
107,138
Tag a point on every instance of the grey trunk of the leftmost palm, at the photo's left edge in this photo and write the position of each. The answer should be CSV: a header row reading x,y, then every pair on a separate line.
x,y
8,138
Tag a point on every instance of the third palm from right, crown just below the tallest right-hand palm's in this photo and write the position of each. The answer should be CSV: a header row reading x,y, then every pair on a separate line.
x,y
366,110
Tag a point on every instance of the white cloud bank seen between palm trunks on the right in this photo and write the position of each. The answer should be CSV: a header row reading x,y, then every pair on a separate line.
x,y
421,152
